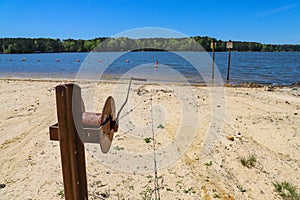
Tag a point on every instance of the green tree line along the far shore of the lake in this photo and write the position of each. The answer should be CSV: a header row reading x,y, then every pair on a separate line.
x,y
44,45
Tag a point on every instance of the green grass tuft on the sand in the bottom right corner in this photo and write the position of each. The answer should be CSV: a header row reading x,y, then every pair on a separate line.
x,y
286,190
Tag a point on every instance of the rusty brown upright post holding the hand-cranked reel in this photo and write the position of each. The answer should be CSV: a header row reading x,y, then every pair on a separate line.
x,y
68,101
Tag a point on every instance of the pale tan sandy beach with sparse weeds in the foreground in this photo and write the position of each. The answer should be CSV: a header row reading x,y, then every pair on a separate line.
x,y
258,121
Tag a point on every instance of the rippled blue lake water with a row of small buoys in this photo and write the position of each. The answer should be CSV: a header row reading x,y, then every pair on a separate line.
x,y
196,67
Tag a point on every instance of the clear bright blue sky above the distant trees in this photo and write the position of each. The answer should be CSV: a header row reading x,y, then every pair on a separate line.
x,y
266,21
